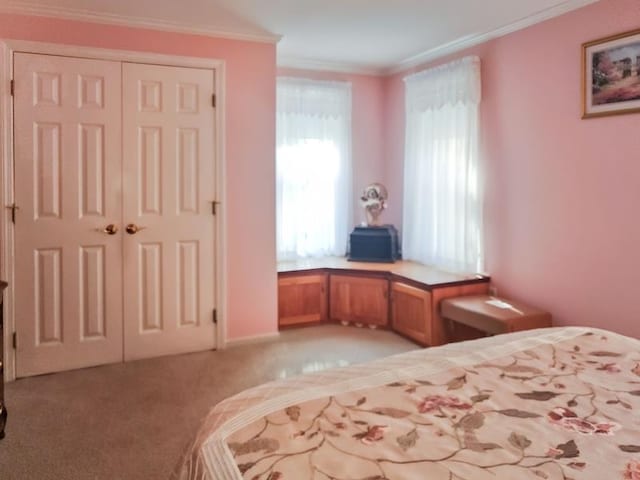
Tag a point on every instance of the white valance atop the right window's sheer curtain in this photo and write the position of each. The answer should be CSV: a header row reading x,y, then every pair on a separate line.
x,y
454,83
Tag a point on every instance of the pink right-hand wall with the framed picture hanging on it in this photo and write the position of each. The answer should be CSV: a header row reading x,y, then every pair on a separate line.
x,y
561,227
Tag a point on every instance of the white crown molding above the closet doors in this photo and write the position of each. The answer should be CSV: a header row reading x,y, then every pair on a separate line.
x,y
30,8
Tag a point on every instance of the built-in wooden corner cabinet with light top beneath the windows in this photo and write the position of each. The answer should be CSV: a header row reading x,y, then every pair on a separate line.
x,y
403,296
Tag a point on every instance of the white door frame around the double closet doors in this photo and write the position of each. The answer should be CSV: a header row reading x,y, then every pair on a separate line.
x,y
7,252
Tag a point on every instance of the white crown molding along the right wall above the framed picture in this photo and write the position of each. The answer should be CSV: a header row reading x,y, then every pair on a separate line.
x,y
473,40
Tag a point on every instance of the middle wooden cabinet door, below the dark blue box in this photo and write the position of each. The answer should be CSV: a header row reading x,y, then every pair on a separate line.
x,y
359,299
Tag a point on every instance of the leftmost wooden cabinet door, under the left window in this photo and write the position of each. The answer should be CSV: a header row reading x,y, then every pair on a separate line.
x,y
302,299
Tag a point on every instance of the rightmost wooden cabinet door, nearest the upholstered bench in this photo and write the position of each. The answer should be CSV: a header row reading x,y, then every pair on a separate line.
x,y
411,311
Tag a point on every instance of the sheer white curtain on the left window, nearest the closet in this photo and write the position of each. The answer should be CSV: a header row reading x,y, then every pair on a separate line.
x,y
313,168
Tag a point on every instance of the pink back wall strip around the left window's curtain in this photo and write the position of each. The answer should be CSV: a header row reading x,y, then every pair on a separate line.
x,y
369,162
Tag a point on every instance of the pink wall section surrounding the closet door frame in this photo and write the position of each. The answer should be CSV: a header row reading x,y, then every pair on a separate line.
x,y
250,145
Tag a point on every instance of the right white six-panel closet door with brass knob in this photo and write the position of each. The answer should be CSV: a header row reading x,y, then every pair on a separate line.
x,y
168,189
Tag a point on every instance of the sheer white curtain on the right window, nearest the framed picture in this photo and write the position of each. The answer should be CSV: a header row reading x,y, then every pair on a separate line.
x,y
442,213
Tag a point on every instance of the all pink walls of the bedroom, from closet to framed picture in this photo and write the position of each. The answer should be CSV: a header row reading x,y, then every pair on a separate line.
x,y
560,228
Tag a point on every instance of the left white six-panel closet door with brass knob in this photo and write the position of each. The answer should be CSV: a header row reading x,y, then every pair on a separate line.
x,y
68,280
